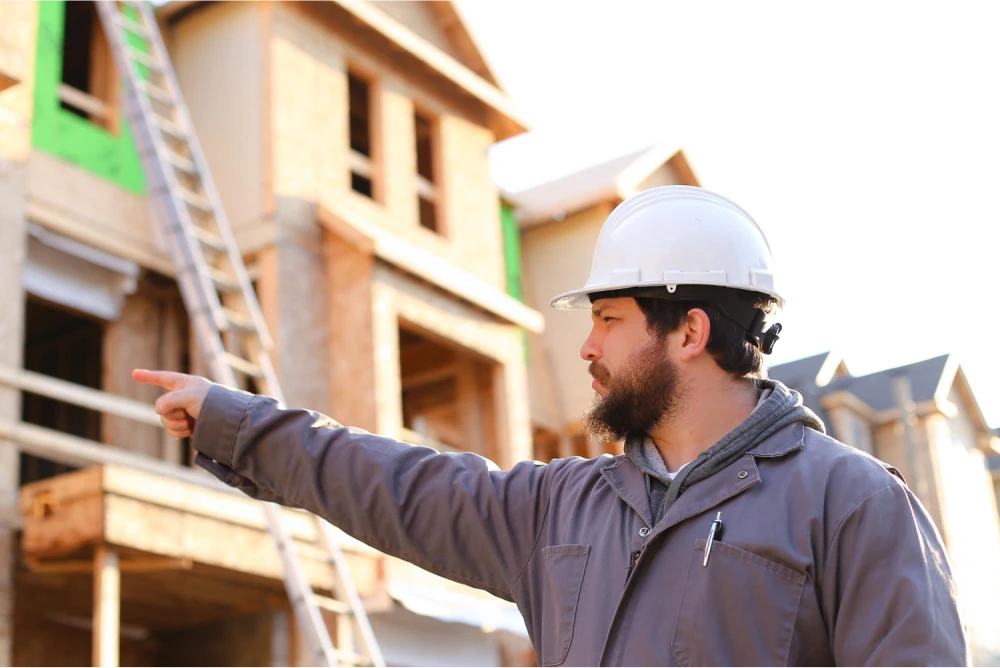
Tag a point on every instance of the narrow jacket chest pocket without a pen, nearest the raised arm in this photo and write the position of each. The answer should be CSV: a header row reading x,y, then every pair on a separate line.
x,y
564,567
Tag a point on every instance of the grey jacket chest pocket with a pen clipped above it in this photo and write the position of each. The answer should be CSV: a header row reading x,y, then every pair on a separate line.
x,y
739,610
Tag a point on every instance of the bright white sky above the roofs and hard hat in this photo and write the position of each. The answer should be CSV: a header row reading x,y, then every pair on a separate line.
x,y
864,138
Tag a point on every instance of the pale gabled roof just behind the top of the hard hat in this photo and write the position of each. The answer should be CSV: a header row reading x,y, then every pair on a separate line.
x,y
612,179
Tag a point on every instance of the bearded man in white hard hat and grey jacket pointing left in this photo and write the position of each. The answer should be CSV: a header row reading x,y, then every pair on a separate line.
x,y
732,532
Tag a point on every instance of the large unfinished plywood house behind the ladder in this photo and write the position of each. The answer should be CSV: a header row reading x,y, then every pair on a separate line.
x,y
348,140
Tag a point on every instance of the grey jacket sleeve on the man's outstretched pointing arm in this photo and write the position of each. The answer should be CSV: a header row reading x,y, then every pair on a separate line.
x,y
455,515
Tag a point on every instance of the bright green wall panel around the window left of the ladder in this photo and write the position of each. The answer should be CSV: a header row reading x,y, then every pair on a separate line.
x,y
63,134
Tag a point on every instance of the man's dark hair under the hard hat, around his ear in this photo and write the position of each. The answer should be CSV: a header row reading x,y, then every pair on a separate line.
x,y
728,343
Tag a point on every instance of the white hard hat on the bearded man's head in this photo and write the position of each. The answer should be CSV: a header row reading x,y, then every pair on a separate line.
x,y
677,235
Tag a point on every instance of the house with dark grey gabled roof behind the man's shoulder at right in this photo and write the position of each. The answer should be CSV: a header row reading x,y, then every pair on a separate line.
x,y
923,419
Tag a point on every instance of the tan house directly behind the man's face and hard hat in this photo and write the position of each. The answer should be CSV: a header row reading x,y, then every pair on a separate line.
x,y
559,222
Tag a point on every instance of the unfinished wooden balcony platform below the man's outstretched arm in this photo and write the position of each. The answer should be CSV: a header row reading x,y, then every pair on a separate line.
x,y
168,524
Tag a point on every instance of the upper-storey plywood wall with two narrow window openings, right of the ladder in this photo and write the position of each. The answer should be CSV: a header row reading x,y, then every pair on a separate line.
x,y
310,144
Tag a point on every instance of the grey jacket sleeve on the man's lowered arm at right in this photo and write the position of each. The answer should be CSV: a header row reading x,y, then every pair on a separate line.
x,y
893,599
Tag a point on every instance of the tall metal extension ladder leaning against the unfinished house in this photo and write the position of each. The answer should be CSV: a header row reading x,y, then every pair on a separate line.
x,y
220,300
